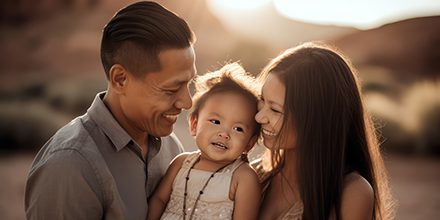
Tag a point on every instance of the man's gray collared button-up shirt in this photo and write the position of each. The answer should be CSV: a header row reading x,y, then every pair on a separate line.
x,y
92,169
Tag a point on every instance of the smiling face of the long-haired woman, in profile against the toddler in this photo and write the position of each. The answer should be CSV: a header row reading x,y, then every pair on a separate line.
x,y
271,114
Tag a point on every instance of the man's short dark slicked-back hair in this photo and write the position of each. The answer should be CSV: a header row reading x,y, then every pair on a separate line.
x,y
136,35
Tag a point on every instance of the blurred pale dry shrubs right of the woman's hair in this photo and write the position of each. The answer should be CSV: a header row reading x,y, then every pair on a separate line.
x,y
411,124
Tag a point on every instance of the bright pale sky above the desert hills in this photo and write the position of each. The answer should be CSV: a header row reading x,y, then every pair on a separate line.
x,y
361,14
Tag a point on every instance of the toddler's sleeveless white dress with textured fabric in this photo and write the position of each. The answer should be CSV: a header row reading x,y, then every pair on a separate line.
x,y
214,203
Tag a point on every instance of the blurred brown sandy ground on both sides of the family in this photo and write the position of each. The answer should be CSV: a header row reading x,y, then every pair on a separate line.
x,y
416,185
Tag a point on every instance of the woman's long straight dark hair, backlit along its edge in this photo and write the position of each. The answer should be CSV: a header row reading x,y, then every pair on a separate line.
x,y
336,135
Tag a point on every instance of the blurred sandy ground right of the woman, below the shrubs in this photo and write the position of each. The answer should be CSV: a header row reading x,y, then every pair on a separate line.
x,y
416,186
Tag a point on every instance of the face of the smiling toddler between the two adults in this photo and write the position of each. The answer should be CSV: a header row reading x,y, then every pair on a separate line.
x,y
224,127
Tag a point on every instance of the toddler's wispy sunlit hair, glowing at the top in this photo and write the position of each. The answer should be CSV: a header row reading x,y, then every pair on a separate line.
x,y
230,78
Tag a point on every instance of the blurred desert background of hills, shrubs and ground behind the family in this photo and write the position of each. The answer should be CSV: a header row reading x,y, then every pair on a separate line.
x,y
50,71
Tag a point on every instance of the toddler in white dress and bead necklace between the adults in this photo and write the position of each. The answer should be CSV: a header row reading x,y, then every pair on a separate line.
x,y
217,181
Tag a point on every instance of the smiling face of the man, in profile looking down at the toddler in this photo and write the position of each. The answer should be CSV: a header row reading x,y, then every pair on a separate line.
x,y
152,105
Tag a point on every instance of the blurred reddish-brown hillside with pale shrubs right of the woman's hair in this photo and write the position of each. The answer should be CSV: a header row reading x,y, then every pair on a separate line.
x,y
400,67
